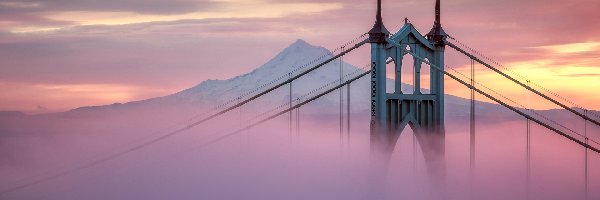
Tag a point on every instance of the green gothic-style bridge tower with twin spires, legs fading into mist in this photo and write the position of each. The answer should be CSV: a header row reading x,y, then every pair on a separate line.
x,y
422,111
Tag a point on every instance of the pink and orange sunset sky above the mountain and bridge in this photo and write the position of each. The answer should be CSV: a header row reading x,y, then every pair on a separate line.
x,y
59,55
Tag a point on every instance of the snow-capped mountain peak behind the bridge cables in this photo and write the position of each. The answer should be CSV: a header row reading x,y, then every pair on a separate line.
x,y
290,60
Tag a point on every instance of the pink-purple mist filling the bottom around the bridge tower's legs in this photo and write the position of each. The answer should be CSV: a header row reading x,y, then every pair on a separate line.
x,y
315,161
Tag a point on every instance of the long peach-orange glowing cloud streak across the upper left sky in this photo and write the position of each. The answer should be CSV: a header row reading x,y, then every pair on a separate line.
x,y
121,15
